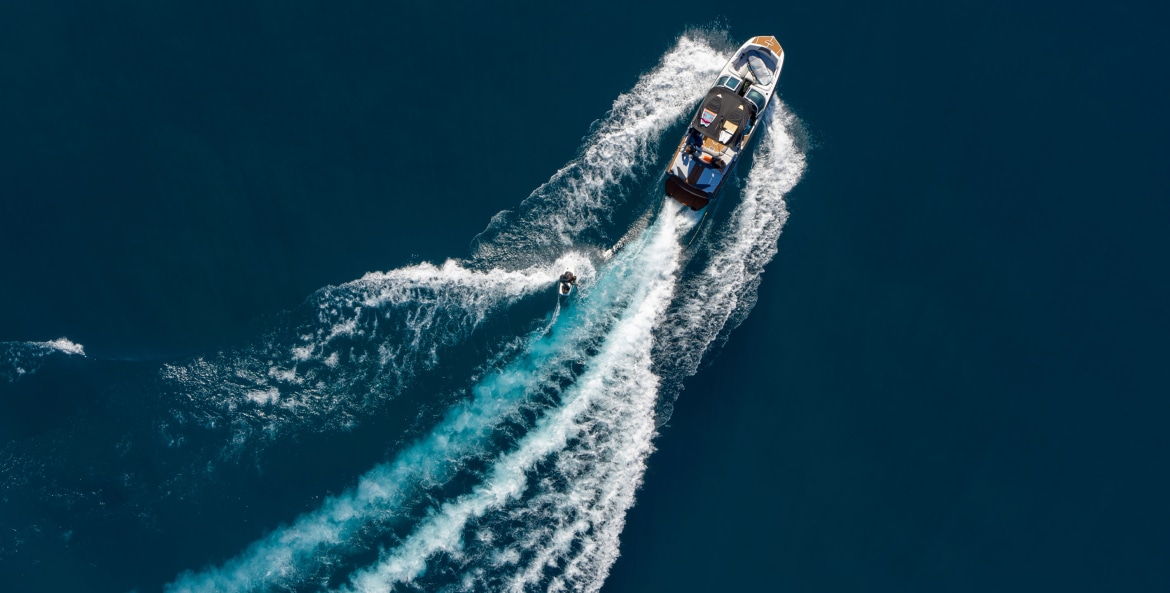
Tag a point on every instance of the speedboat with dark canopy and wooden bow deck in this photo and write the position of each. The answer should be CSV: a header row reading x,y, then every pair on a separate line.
x,y
726,123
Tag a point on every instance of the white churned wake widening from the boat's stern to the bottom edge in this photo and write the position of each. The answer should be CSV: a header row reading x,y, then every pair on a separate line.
x,y
595,415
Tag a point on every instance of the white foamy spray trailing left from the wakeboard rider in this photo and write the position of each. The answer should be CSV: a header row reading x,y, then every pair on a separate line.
x,y
362,343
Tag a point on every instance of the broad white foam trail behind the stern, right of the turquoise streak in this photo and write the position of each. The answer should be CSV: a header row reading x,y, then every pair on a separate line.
x,y
605,417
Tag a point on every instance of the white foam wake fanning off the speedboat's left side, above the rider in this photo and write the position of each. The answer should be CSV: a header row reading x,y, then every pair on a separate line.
x,y
573,205
